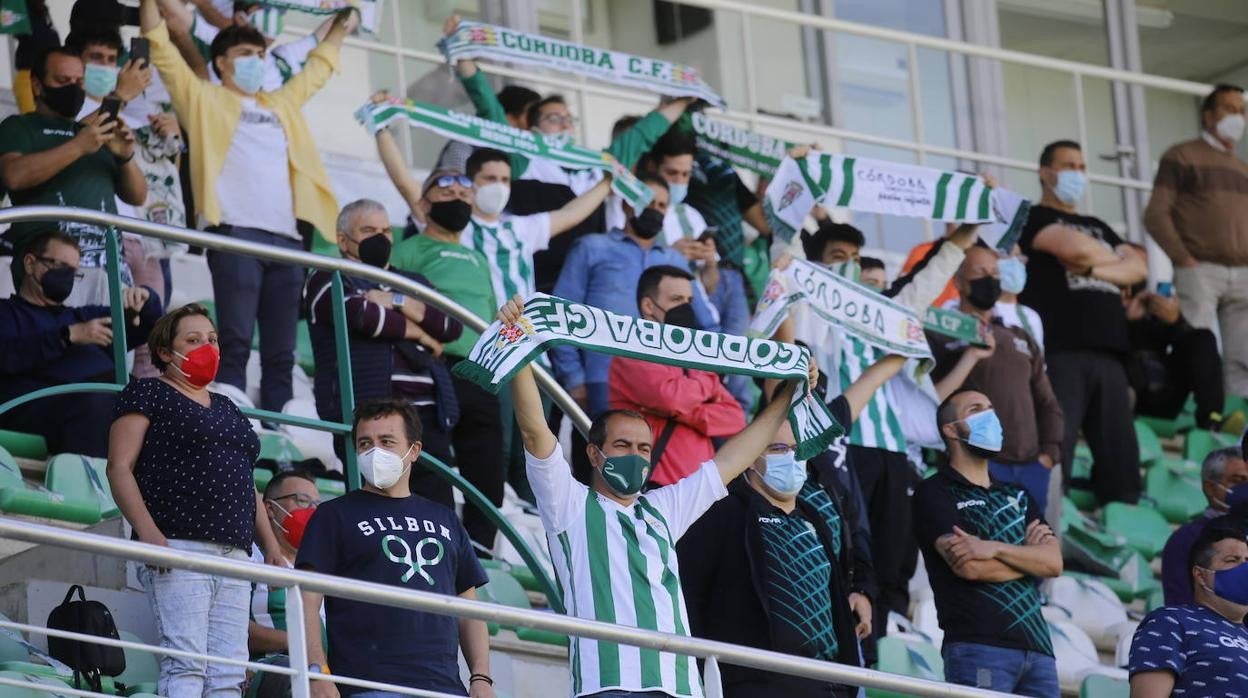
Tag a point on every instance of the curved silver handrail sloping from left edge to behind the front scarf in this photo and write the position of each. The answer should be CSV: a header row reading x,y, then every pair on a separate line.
x,y
224,244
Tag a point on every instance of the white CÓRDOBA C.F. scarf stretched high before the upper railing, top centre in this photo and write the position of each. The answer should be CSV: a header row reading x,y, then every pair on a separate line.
x,y
476,41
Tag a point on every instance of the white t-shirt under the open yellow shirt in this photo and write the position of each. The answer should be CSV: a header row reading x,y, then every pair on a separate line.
x,y
254,188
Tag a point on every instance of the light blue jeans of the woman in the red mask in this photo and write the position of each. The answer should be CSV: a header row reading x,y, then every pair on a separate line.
x,y
203,614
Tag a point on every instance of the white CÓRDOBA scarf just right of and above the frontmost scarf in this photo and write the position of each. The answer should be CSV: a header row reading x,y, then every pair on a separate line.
x,y
846,305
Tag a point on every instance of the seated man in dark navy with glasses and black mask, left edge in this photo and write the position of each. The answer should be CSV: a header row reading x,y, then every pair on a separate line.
x,y
46,343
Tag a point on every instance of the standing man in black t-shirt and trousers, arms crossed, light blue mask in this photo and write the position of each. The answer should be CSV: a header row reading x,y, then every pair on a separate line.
x,y
1076,270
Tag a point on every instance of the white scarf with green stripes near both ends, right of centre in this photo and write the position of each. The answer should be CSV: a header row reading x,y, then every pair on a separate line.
x,y
878,187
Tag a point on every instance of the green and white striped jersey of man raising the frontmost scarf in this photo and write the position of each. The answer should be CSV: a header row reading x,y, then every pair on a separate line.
x,y
618,565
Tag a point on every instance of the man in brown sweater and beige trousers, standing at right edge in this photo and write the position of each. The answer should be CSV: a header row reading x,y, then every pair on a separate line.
x,y
1199,215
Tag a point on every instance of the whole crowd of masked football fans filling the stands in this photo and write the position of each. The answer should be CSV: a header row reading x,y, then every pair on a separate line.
x,y
685,509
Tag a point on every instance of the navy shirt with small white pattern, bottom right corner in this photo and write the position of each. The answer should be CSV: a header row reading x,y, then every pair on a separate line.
x,y
1207,654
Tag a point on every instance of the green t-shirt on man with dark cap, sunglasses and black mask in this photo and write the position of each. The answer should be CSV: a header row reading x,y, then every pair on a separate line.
x,y
459,273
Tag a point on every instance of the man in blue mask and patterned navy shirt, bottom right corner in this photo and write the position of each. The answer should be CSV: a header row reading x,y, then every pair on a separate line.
x,y
1200,649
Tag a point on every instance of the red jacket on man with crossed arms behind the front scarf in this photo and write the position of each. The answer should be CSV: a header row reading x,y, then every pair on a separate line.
x,y
697,400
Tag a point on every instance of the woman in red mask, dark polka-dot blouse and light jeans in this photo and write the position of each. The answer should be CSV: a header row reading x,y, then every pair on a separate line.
x,y
180,468
